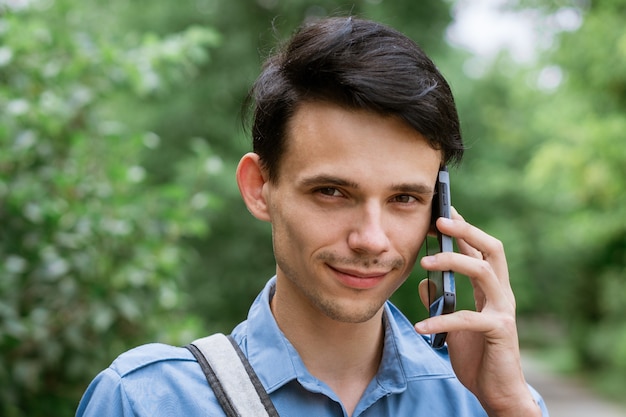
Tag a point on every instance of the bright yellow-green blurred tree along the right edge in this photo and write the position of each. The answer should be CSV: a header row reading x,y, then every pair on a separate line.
x,y
580,169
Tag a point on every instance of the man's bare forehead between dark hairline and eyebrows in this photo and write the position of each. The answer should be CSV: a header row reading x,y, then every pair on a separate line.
x,y
324,137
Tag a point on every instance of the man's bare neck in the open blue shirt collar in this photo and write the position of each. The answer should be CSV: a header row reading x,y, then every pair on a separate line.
x,y
345,356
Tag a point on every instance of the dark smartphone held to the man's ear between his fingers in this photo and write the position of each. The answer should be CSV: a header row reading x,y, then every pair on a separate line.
x,y
441,288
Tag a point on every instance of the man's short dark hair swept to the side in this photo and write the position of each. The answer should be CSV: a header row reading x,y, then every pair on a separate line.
x,y
357,64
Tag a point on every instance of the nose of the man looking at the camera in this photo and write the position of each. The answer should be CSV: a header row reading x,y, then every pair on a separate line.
x,y
368,234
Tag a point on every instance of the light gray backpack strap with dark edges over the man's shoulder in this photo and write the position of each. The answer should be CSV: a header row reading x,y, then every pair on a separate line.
x,y
230,375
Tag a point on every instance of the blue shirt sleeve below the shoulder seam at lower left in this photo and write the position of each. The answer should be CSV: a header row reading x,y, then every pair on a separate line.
x,y
105,396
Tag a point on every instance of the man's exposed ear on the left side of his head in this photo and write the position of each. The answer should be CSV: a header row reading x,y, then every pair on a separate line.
x,y
251,180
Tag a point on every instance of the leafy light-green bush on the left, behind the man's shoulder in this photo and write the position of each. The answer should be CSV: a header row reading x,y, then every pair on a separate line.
x,y
91,254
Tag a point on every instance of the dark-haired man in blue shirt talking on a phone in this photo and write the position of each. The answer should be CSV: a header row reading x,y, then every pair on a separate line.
x,y
352,123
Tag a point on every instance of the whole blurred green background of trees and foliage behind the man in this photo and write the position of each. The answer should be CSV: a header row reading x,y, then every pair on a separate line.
x,y
120,129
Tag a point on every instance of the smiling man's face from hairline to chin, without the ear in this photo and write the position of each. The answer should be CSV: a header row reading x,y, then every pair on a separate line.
x,y
349,210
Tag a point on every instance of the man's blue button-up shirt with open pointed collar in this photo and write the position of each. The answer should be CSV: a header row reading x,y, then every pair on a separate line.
x,y
160,380
